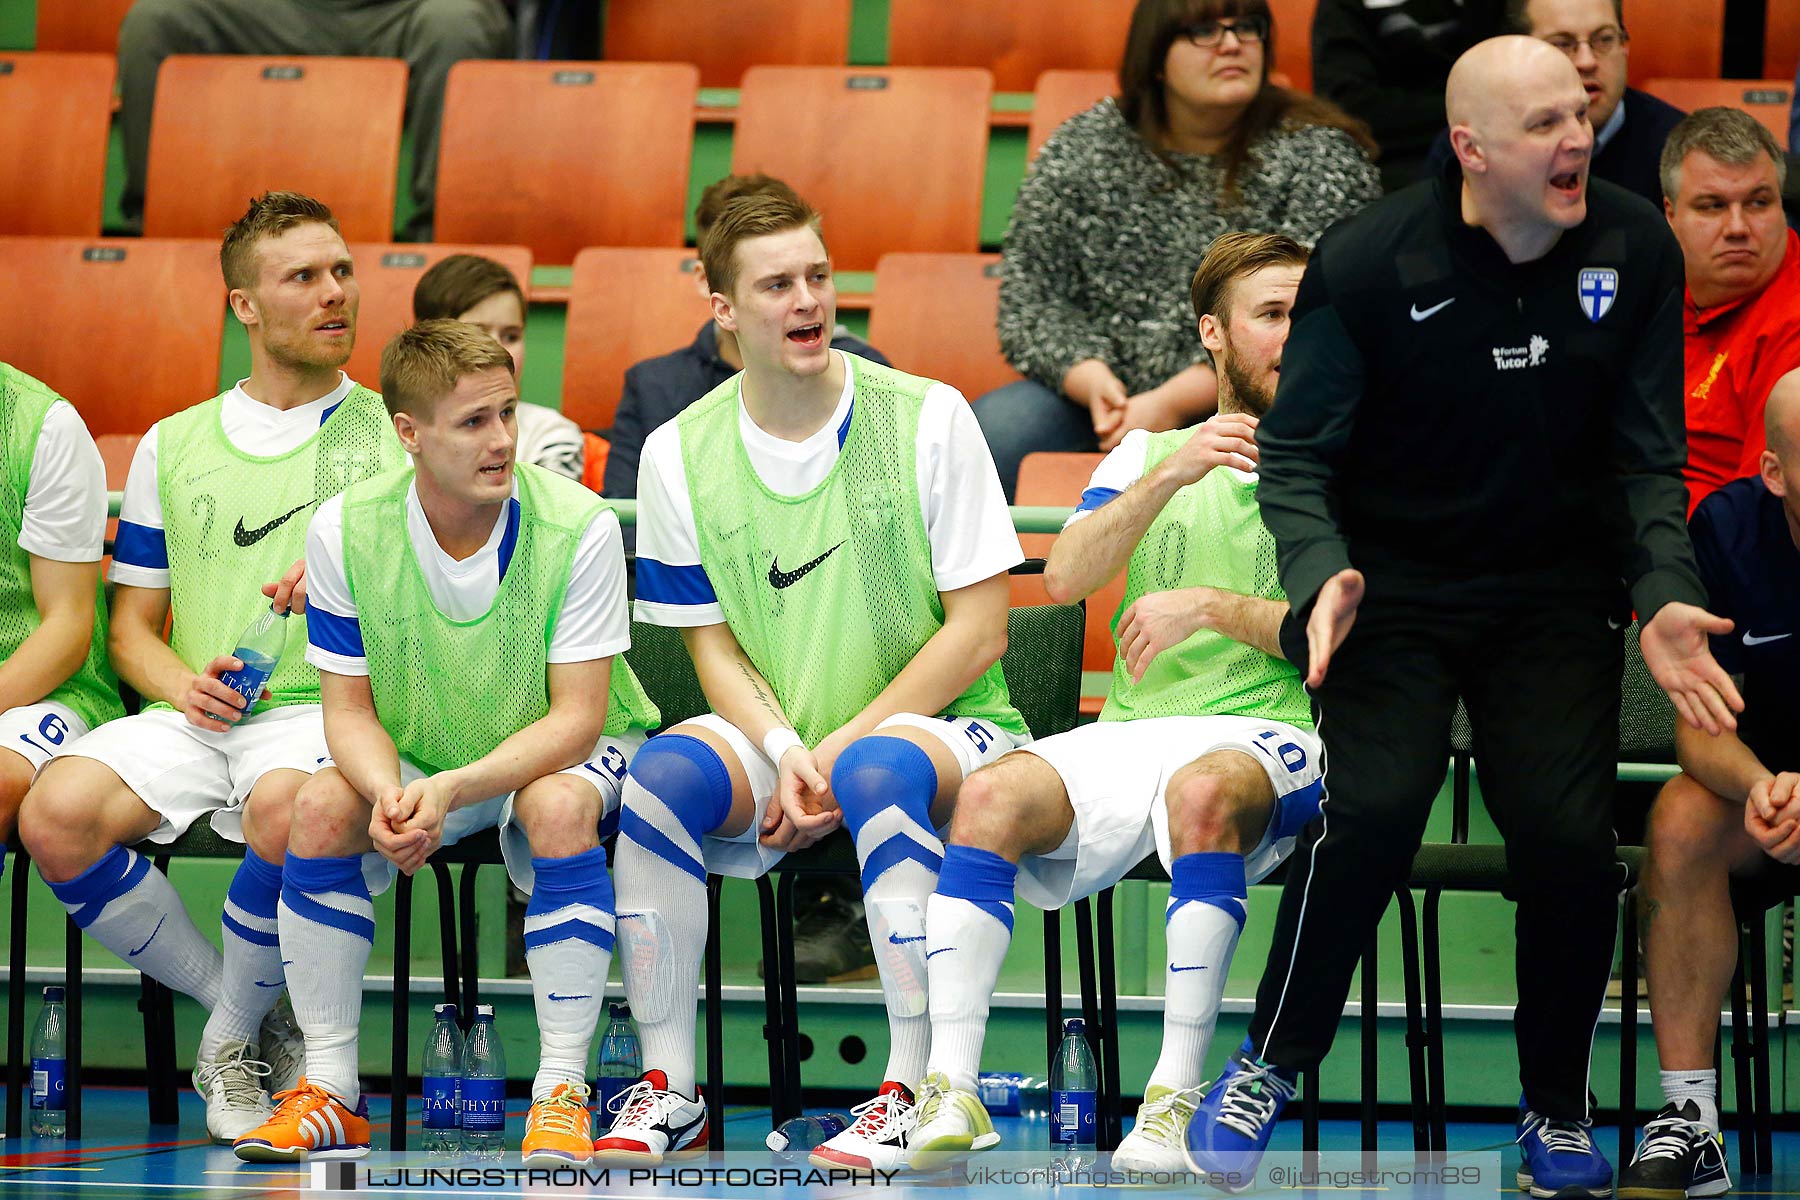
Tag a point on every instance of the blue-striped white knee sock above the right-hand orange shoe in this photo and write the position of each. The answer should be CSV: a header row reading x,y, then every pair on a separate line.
x,y
568,951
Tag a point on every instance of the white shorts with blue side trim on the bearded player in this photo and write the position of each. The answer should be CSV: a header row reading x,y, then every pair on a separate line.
x,y
1117,775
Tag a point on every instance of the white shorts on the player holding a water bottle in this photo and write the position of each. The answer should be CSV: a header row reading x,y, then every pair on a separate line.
x,y
184,773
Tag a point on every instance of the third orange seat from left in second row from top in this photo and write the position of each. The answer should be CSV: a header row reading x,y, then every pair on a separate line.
x,y
606,163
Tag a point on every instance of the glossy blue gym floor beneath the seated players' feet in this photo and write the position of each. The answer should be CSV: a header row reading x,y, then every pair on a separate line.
x,y
121,1154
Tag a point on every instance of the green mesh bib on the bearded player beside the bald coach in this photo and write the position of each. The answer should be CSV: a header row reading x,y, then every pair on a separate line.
x,y
1209,535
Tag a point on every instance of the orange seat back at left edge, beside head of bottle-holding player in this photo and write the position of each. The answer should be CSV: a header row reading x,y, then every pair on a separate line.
x,y
129,330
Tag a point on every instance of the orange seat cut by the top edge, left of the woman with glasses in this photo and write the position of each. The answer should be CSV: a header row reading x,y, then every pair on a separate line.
x,y
1014,39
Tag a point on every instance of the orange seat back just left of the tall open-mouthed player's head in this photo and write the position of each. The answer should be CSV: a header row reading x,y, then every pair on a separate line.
x,y
624,307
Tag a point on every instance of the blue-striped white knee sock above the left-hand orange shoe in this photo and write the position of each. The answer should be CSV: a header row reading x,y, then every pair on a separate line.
x,y
328,924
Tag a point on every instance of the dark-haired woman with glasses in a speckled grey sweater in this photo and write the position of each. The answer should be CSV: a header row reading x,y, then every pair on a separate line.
x,y
1120,206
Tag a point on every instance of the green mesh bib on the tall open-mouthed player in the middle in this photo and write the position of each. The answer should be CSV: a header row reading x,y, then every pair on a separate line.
x,y
829,593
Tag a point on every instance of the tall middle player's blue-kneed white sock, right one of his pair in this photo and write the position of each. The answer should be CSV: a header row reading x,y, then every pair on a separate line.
x,y
886,787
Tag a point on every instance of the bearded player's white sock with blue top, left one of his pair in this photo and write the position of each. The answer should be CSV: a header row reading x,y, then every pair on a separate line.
x,y
969,927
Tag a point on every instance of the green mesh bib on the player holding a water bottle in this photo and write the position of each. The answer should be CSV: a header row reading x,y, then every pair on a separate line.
x,y
237,521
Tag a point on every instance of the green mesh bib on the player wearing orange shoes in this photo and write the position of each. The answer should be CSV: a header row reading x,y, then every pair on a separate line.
x,y
451,692
